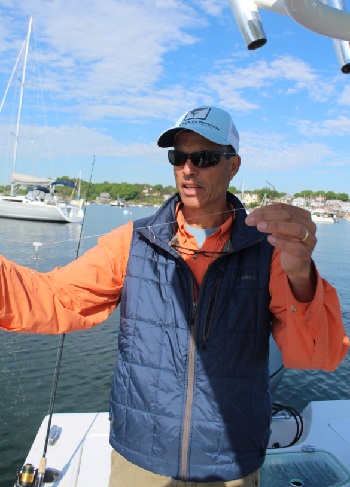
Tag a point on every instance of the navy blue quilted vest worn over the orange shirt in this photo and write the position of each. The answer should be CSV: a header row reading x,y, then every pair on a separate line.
x,y
190,398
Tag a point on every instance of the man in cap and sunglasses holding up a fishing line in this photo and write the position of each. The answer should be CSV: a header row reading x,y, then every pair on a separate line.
x,y
199,287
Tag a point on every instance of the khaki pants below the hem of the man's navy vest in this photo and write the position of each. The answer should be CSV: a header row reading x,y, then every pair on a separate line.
x,y
126,474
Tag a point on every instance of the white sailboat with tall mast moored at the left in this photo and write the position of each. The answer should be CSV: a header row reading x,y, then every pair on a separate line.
x,y
41,202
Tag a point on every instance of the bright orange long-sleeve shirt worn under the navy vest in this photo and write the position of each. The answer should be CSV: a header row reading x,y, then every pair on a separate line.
x,y
85,292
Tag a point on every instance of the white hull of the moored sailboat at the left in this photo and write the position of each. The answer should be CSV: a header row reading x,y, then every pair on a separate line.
x,y
22,209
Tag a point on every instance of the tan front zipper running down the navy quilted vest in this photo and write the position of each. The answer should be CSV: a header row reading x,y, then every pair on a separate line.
x,y
189,393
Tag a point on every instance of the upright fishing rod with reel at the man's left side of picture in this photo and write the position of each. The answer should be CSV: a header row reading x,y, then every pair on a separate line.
x,y
29,476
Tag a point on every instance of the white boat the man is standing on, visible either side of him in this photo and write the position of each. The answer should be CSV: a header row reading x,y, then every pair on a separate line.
x,y
319,456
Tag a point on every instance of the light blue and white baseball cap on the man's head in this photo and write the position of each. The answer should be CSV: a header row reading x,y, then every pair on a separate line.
x,y
212,123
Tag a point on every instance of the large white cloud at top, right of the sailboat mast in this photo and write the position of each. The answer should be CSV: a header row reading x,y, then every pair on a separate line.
x,y
109,47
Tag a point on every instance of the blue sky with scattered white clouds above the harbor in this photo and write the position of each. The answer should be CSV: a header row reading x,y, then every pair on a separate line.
x,y
104,79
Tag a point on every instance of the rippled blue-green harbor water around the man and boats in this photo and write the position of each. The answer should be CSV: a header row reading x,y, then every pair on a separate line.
x,y
27,362
